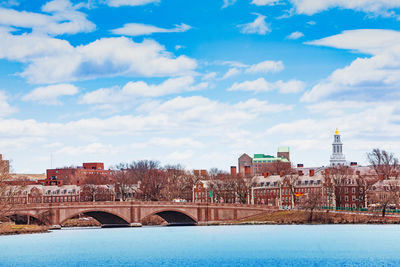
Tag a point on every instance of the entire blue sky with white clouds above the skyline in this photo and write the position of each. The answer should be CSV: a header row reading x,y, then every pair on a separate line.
x,y
196,82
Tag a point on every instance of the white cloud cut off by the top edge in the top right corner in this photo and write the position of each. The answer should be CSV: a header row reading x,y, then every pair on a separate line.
x,y
377,7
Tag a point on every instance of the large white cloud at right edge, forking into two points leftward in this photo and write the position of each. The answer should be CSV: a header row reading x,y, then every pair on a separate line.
x,y
376,77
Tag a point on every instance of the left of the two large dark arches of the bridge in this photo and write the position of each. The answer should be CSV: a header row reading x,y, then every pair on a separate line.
x,y
104,217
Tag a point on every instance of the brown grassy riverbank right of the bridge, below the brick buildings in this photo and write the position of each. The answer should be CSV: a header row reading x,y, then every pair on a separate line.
x,y
323,217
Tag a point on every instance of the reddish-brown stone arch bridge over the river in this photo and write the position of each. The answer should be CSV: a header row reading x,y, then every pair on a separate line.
x,y
131,213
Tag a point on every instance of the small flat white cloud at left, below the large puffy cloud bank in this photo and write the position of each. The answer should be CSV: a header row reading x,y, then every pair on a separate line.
x,y
49,95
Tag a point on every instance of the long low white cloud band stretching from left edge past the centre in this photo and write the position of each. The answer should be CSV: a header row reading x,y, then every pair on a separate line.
x,y
192,114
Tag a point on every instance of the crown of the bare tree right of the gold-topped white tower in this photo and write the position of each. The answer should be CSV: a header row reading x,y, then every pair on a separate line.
x,y
385,164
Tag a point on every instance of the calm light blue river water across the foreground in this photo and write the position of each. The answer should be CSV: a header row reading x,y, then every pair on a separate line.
x,y
260,245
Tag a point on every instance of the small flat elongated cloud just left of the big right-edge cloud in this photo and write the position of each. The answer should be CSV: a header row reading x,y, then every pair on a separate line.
x,y
261,85
